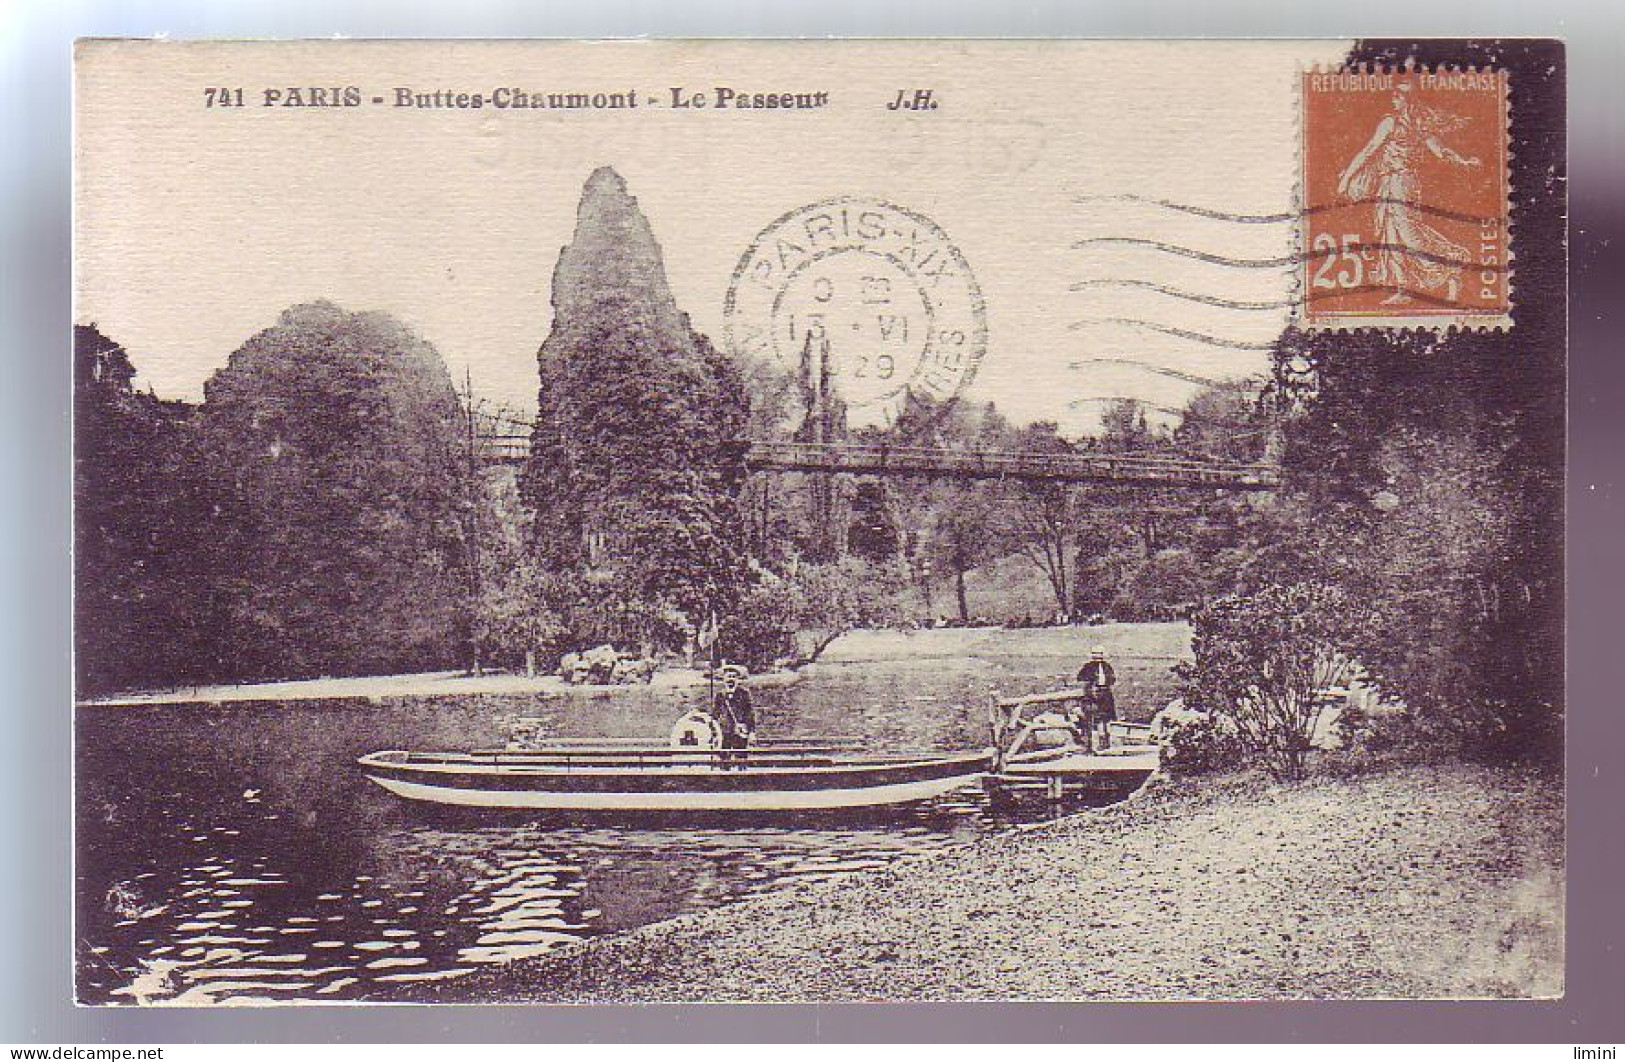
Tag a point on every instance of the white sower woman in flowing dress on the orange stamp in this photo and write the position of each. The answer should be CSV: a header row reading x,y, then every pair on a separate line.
x,y
1411,254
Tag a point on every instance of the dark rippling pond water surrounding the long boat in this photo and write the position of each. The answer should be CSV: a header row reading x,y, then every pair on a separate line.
x,y
236,855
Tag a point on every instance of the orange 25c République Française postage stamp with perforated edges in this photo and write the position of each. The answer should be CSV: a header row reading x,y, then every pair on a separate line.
x,y
1405,199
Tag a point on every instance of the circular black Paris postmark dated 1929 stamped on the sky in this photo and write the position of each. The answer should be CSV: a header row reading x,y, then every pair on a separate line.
x,y
872,295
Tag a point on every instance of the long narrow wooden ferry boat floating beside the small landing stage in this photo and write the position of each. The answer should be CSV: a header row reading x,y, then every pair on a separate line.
x,y
613,777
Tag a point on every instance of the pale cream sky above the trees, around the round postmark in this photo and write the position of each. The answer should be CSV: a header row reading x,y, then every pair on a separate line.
x,y
196,227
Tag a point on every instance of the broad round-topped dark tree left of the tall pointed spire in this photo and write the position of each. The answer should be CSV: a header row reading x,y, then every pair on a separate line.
x,y
334,459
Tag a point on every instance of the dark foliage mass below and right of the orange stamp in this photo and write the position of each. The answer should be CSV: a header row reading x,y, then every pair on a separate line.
x,y
1431,465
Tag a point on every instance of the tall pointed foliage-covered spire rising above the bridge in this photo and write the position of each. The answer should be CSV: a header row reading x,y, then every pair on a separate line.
x,y
636,467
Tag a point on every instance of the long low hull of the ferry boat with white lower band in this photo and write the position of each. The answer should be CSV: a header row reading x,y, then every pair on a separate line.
x,y
685,788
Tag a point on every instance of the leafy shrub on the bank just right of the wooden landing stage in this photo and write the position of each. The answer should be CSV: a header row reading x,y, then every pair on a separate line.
x,y
1263,660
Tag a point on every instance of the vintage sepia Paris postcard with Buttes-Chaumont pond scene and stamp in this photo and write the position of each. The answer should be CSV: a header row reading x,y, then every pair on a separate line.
x,y
818,520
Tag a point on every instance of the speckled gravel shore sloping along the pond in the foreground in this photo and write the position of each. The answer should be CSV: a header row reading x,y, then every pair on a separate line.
x,y
1441,881
